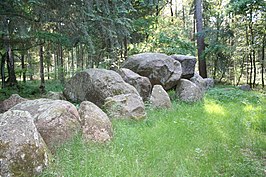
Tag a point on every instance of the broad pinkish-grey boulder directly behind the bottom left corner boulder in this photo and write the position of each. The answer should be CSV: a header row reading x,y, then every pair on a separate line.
x,y
56,120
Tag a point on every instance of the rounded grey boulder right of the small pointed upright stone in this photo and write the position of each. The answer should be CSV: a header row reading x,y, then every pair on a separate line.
x,y
188,91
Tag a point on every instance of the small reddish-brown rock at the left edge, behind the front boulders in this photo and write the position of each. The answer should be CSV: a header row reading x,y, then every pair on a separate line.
x,y
10,102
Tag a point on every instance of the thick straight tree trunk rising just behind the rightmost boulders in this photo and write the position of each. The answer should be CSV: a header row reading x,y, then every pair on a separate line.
x,y
200,40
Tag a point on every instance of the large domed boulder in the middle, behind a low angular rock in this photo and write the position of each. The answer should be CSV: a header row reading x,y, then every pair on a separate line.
x,y
96,85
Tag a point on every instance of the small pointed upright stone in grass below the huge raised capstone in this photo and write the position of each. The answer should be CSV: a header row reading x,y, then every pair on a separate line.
x,y
160,98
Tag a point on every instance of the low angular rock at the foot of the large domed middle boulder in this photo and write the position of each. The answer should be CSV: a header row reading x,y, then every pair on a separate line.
x,y
125,106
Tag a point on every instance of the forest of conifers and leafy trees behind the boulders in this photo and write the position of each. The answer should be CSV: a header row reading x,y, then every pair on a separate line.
x,y
53,40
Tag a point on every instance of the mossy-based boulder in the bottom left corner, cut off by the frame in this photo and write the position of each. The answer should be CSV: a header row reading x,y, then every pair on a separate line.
x,y
22,149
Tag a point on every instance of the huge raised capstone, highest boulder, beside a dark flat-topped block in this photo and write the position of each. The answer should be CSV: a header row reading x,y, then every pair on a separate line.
x,y
159,68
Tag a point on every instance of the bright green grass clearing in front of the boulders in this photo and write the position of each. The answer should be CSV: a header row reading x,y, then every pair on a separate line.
x,y
224,135
